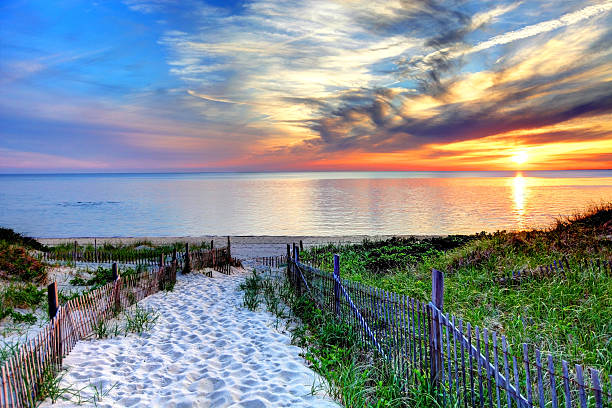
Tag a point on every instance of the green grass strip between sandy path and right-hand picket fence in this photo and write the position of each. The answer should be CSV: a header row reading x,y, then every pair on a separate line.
x,y
353,375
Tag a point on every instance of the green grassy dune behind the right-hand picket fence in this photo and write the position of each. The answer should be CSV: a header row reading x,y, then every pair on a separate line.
x,y
566,314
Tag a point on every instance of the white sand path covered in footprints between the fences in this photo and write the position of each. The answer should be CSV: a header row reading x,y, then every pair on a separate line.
x,y
206,350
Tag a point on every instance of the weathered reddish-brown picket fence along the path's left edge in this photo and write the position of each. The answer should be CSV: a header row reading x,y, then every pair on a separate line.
x,y
23,373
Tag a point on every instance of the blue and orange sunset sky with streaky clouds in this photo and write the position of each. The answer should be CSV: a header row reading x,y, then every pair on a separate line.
x,y
269,85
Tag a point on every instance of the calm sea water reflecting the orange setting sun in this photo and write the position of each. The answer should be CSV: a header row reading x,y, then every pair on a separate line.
x,y
325,203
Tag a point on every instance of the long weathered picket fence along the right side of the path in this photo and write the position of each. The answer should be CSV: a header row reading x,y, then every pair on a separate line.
x,y
468,365
